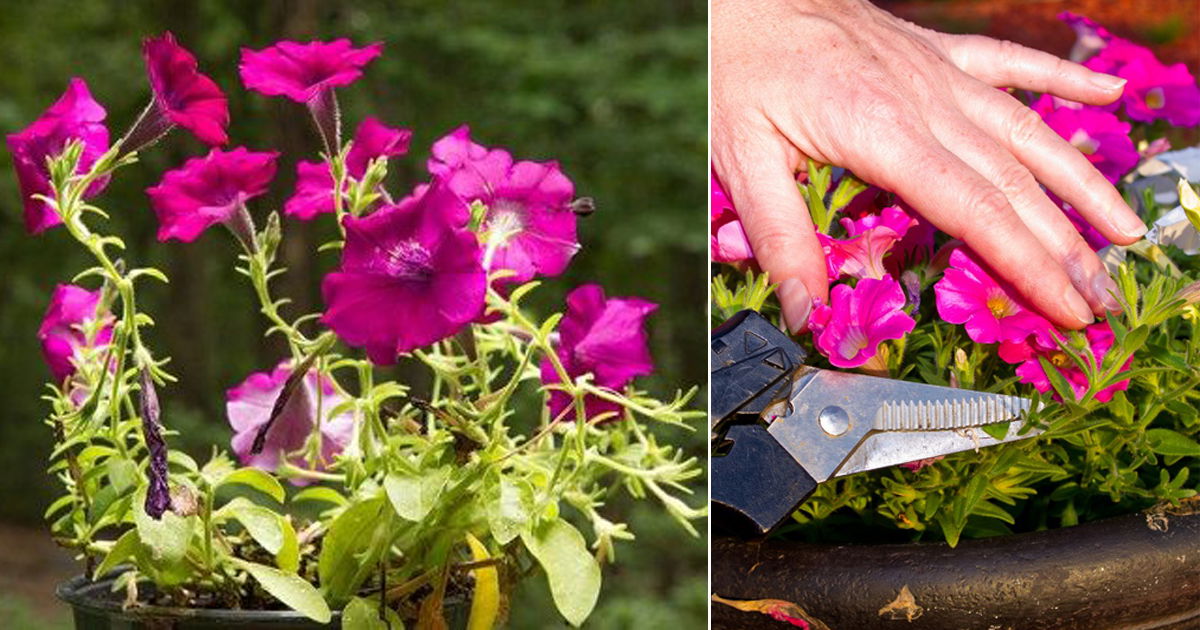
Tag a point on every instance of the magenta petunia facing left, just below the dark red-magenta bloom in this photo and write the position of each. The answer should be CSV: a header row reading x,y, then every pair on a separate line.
x,y
209,190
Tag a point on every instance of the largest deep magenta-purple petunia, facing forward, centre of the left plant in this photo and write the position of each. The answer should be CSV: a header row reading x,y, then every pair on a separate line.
x,y
411,275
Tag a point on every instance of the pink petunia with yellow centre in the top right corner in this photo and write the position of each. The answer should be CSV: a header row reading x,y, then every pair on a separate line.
x,y
1155,91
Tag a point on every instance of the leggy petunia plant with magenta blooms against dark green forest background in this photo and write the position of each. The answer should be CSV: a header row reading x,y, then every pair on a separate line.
x,y
347,491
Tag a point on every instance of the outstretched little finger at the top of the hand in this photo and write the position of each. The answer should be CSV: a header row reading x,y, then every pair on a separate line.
x,y
1005,64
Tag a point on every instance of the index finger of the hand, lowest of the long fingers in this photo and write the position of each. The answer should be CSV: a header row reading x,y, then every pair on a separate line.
x,y
961,202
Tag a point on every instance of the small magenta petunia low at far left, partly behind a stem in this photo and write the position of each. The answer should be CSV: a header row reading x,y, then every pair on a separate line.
x,y
63,328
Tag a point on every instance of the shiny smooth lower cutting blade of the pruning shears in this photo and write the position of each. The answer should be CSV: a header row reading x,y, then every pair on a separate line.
x,y
885,449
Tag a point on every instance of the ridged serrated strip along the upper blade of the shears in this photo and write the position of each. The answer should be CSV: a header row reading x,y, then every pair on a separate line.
x,y
974,410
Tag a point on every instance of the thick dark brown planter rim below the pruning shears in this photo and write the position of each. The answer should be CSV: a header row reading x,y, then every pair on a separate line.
x,y
1114,574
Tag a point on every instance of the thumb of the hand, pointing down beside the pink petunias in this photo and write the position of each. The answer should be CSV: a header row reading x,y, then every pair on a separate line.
x,y
763,185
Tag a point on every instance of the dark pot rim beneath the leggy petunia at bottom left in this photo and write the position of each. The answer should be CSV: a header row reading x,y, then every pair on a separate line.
x,y
95,609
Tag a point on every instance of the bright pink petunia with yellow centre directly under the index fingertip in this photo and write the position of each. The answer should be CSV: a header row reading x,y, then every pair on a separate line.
x,y
970,296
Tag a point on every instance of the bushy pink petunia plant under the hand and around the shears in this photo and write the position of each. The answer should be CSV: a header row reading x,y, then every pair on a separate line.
x,y
1118,400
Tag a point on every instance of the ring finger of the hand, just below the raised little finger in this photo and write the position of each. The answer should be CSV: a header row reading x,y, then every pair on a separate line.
x,y
1053,161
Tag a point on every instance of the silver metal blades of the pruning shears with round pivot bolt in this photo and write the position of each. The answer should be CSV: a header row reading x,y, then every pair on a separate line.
x,y
829,416
